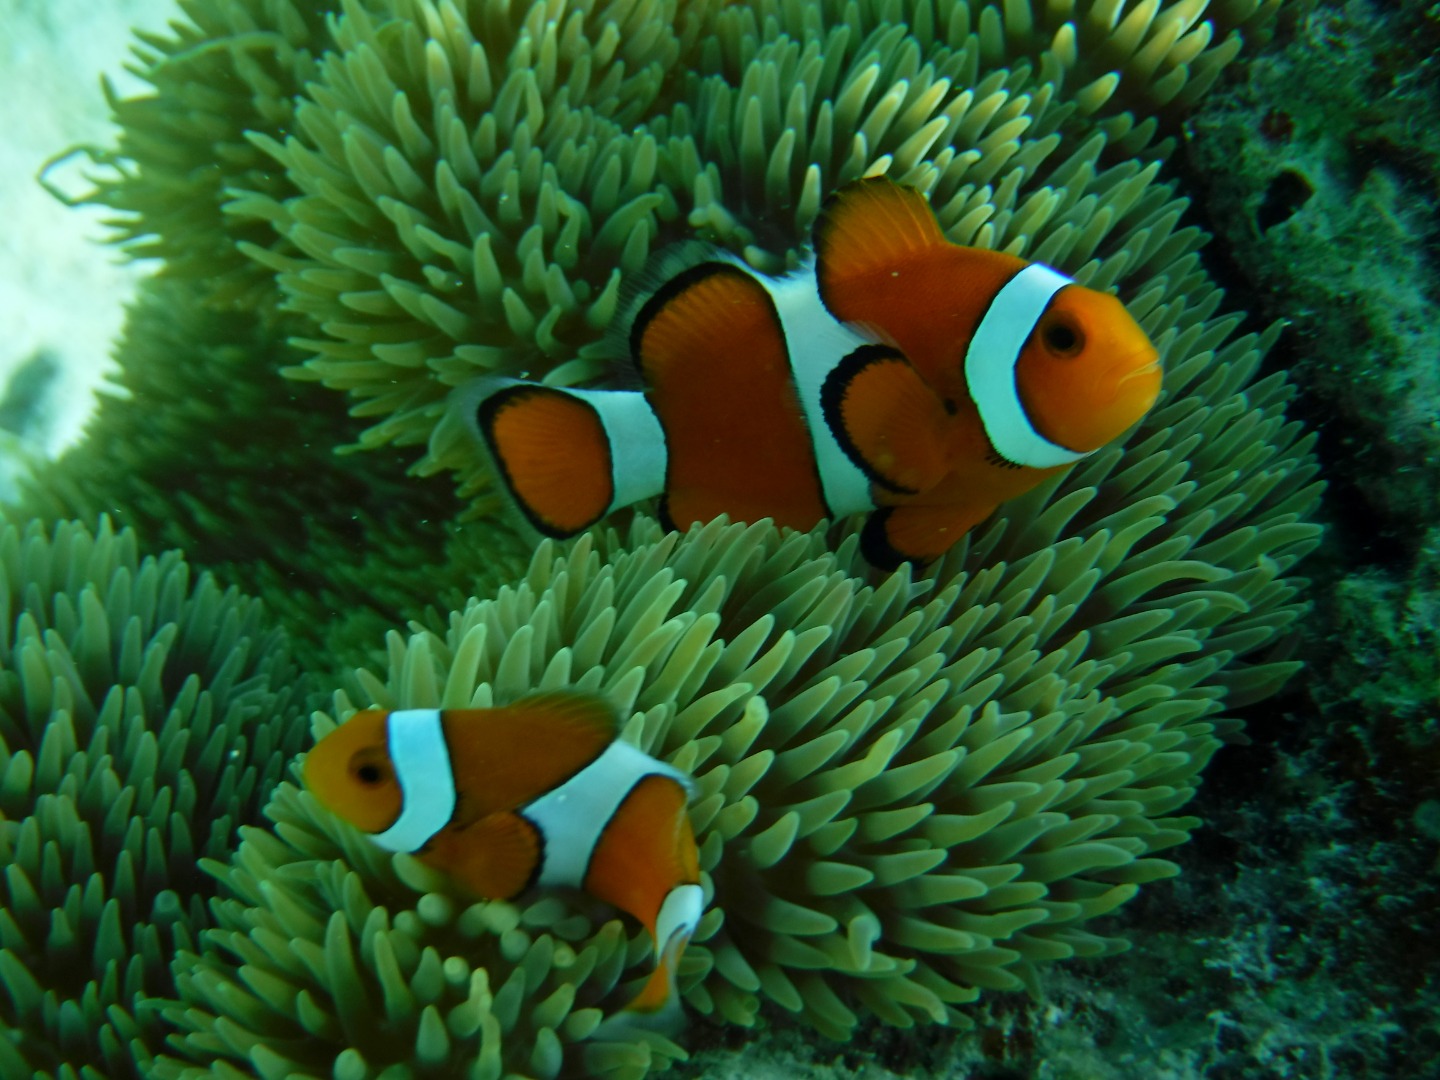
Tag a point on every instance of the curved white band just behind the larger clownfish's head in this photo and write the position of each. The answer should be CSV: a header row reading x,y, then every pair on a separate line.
x,y
990,368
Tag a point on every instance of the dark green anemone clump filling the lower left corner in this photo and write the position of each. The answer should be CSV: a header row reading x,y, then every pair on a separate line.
x,y
143,718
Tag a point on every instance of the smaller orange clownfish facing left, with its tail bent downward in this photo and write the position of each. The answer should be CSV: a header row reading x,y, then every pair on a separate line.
x,y
541,793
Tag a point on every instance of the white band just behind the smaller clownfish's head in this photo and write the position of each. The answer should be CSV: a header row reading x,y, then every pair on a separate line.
x,y
421,760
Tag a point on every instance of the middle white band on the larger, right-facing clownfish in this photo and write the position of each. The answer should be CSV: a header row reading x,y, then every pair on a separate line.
x,y
817,342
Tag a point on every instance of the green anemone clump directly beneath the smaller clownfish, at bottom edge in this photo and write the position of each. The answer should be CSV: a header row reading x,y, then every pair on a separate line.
x,y
332,960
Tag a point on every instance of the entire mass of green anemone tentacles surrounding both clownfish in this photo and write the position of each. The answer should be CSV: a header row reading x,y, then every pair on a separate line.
x,y
912,790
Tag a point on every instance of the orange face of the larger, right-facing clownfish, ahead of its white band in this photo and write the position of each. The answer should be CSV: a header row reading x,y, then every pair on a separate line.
x,y
1088,371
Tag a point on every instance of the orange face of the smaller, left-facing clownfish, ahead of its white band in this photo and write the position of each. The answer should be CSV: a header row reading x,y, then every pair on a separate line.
x,y
352,774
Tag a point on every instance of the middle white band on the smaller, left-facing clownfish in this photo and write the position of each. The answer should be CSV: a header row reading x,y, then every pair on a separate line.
x,y
572,817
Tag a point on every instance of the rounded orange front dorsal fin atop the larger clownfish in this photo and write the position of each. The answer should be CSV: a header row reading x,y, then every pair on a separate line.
x,y
872,224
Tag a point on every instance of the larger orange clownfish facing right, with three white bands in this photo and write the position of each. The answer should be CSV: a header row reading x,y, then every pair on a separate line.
x,y
895,374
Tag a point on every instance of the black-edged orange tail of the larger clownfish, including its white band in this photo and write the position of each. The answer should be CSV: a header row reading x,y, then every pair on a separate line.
x,y
567,457
